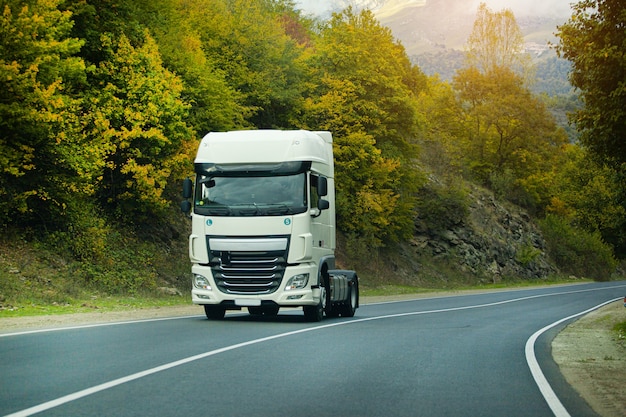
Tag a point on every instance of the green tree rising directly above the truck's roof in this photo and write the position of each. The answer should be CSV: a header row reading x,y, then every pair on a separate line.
x,y
247,42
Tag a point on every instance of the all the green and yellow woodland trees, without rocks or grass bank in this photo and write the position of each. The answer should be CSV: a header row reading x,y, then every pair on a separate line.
x,y
103,102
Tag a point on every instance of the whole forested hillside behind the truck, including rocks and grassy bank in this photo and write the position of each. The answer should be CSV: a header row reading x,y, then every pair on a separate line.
x,y
466,180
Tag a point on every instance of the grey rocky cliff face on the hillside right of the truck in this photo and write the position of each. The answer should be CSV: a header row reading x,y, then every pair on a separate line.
x,y
491,241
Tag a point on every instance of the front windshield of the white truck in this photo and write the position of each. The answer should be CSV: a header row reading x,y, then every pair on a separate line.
x,y
251,195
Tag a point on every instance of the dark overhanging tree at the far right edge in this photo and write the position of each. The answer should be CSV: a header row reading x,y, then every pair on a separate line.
x,y
593,40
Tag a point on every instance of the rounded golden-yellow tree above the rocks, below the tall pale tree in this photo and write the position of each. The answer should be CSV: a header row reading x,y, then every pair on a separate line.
x,y
507,128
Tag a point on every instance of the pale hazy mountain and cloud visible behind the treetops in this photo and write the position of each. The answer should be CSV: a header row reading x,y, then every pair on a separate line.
x,y
434,32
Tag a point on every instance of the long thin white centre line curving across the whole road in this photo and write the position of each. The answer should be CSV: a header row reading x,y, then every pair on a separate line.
x,y
98,388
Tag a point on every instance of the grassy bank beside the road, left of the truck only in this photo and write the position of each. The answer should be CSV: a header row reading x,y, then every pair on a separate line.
x,y
40,278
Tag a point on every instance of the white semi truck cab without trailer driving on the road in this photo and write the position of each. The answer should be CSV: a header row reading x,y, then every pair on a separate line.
x,y
263,225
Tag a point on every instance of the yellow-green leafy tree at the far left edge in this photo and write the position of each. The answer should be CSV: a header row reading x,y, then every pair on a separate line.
x,y
44,158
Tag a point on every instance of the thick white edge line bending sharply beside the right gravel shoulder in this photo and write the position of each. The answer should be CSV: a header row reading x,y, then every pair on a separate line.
x,y
546,390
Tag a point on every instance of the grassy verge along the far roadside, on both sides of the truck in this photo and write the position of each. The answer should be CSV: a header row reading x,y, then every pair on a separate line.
x,y
42,279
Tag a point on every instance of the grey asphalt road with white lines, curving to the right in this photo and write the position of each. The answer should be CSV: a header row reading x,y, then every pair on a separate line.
x,y
466,355
